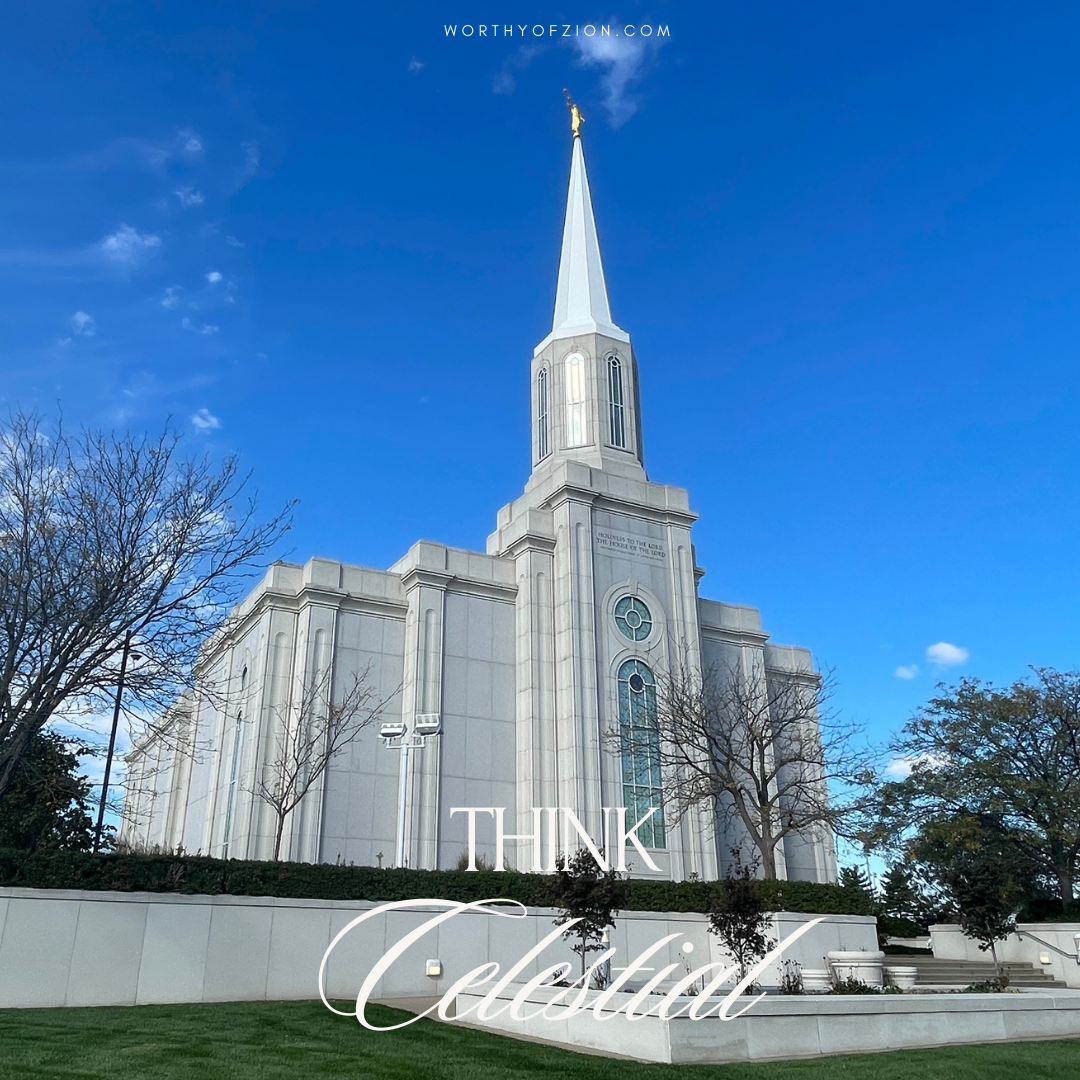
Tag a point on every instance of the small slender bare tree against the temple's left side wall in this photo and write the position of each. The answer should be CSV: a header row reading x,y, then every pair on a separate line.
x,y
308,735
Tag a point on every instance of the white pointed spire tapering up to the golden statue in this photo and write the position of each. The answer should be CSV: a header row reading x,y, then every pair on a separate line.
x,y
582,304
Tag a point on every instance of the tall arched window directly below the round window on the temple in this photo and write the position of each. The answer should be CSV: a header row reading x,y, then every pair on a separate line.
x,y
641,751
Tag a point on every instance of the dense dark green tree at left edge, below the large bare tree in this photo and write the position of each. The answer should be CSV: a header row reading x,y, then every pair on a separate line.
x,y
46,805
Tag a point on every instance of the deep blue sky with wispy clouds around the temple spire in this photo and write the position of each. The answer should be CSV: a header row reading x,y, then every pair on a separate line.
x,y
845,239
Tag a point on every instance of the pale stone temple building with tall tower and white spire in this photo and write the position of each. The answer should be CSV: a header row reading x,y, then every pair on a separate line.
x,y
509,666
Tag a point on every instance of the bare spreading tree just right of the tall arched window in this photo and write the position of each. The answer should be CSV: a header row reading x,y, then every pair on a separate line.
x,y
760,749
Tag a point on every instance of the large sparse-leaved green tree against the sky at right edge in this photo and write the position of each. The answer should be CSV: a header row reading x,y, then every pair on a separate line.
x,y
1008,757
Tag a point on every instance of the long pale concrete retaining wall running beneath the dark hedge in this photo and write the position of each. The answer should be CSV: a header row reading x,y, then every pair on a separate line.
x,y
61,948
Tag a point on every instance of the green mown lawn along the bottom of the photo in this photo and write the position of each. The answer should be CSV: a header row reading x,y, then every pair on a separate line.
x,y
296,1041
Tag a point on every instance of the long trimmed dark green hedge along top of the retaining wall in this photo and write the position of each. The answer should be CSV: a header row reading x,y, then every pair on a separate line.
x,y
195,874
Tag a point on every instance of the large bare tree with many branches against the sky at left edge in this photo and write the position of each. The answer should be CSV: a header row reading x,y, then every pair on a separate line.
x,y
105,536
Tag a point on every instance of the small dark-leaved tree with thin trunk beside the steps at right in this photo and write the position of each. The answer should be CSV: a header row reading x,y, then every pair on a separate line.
x,y
981,873
